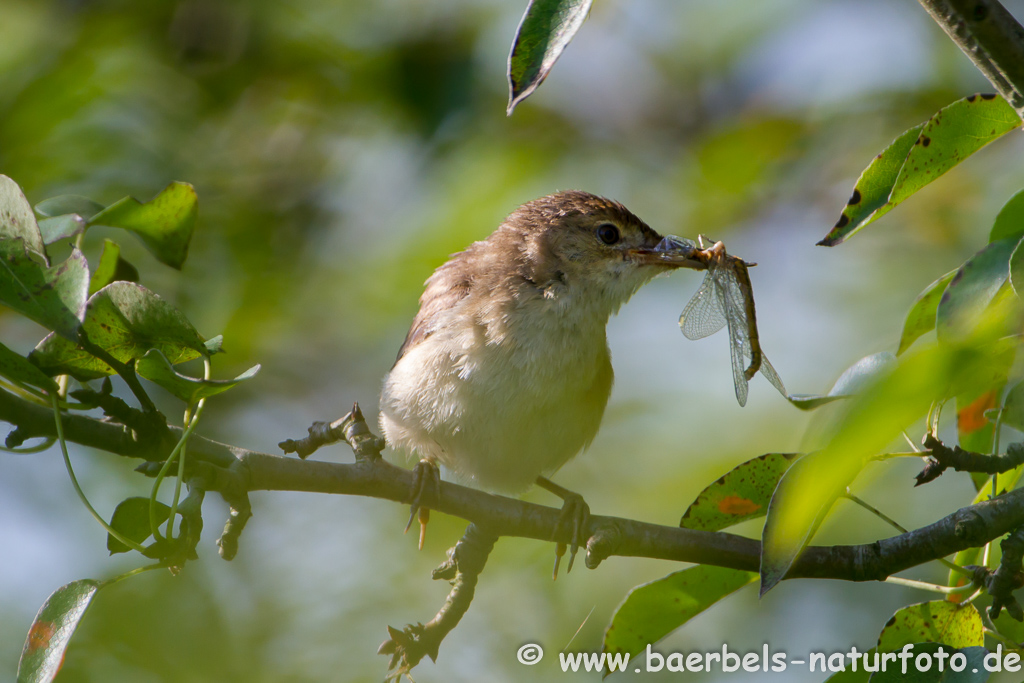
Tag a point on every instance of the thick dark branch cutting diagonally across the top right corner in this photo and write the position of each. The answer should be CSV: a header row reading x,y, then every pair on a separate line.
x,y
991,37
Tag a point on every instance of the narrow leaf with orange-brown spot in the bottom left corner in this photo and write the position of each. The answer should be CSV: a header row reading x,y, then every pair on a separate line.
x,y
53,630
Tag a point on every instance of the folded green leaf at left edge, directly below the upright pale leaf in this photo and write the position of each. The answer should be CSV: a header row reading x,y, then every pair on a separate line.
x,y
55,297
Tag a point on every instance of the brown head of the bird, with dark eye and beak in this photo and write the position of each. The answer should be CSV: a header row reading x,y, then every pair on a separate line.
x,y
584,241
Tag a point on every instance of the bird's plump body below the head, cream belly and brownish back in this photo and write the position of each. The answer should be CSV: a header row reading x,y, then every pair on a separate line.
x,y
503,391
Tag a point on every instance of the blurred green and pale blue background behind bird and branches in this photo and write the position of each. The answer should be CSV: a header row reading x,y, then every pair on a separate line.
x,y
342,151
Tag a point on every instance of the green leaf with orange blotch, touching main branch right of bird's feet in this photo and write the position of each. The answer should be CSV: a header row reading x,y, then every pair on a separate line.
x,y
744,493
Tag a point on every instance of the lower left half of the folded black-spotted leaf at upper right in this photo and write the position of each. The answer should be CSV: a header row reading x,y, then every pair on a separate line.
x,y
871,194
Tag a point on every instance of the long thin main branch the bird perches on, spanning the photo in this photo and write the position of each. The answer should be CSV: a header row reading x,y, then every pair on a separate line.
x,y
236,472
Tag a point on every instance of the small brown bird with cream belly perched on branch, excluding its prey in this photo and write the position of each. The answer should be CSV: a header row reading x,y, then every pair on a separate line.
x,y
506,372
